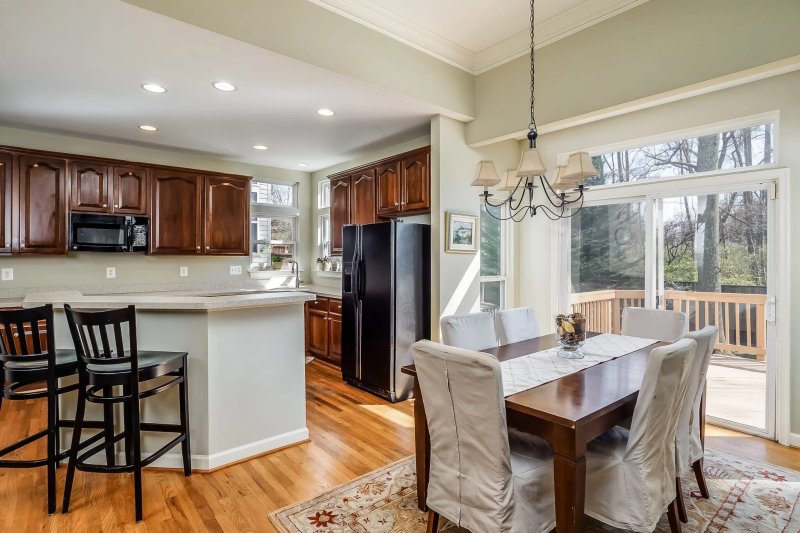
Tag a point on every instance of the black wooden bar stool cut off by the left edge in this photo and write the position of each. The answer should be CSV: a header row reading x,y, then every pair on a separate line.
x,y
28,358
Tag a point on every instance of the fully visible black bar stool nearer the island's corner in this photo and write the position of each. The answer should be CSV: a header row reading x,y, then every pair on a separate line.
x,y
103,369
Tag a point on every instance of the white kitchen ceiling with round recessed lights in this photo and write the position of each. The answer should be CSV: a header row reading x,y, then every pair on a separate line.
x,y
76,66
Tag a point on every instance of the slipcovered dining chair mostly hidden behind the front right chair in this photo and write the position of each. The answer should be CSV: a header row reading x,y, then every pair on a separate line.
x,y
688,442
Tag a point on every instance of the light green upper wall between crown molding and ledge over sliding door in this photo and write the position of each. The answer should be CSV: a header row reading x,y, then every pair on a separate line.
x,y
658,46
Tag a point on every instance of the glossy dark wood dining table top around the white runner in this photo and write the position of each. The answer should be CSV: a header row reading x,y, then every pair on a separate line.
x,y
577,397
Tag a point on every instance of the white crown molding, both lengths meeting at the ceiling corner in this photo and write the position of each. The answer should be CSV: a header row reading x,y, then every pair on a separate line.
x,y
408,32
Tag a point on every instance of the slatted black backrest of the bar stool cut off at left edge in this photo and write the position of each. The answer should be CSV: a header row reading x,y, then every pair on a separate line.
x,y
26,335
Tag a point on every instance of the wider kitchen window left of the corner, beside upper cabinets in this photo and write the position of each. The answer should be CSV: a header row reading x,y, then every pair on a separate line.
x,y
273,224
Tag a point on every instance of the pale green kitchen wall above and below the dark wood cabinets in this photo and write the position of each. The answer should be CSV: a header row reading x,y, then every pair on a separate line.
x,y
78,269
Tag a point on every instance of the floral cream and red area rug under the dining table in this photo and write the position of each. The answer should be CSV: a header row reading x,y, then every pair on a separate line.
x,y
746,496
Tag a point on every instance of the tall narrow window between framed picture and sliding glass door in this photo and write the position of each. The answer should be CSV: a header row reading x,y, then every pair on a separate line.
x,y
493,260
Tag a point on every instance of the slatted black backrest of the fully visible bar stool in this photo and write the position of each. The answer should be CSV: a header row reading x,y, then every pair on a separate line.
x,y
87,328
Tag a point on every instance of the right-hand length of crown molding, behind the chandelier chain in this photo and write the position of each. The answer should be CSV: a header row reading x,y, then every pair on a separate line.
x,y
551,30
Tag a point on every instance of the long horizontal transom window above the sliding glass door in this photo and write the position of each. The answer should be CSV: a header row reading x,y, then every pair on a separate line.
x,y
735,148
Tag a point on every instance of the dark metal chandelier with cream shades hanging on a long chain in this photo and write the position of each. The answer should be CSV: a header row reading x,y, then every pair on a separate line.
x,y
560,199
